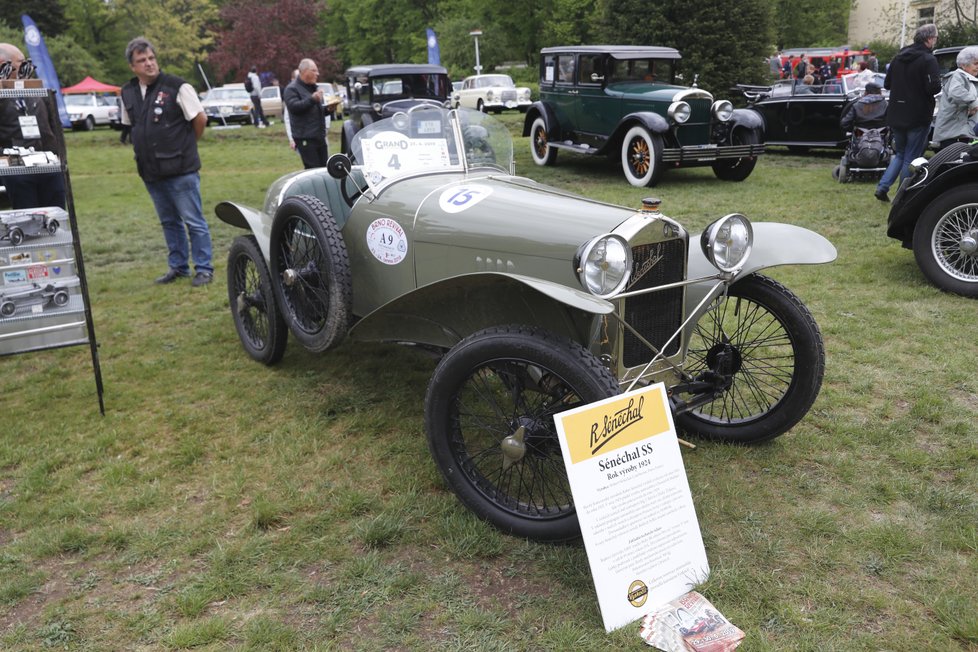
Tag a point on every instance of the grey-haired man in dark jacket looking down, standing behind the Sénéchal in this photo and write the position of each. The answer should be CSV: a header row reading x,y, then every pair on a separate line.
x,y
307,115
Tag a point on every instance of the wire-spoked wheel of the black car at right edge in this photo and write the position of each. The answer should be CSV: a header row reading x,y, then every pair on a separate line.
x,y
937,237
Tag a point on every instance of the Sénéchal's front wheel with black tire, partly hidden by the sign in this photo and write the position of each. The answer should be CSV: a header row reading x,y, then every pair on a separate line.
x,y
482,391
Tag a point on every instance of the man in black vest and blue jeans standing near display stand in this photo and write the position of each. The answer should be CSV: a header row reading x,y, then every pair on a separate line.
x,y
167,120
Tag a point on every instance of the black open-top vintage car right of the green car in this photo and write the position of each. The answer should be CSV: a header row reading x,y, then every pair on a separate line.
x,y
801,116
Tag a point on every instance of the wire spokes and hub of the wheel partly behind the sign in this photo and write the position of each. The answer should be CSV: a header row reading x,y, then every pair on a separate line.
x,y
505,439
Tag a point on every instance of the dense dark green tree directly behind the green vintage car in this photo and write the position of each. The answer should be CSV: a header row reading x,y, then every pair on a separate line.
x,y
722,48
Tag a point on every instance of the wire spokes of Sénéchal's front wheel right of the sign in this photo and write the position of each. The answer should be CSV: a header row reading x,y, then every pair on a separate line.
x,y
758,352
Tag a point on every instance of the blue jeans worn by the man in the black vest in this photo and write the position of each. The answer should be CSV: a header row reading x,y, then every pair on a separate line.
x,y
178,205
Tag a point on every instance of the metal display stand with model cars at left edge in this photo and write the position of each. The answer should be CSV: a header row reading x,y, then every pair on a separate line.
x,y
44,299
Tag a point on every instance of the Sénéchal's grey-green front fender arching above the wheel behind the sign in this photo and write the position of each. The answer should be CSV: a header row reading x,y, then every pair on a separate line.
x,y
441,314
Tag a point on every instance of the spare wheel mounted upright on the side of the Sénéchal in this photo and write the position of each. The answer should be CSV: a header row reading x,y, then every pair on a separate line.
x,y
310,272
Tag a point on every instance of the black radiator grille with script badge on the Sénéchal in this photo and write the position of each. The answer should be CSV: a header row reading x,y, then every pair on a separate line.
x,y
655,315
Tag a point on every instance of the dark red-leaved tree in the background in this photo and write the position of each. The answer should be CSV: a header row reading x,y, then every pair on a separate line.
x,y
273,37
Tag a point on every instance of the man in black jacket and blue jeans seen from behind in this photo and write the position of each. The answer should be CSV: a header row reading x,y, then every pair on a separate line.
x,y
914,78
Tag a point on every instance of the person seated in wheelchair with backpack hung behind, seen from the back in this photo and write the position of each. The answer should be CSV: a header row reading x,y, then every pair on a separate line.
x,y
869,150
